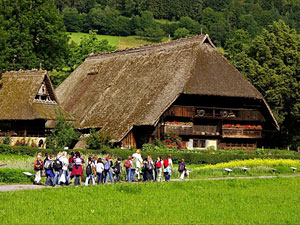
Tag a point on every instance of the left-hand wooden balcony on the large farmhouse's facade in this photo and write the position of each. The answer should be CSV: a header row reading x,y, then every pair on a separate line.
x,y
192,130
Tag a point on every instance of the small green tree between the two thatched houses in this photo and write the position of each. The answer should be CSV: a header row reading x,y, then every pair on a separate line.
x,y
63,134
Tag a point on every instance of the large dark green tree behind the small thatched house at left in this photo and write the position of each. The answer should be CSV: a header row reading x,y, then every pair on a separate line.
x,y
33,33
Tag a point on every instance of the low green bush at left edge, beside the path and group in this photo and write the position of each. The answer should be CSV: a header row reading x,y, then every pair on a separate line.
x,y
14,176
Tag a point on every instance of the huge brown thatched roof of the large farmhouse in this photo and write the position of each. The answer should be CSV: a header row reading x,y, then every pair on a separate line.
x,y
118,90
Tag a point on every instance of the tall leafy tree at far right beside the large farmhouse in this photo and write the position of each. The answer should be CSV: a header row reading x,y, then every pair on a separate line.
x,y
272,62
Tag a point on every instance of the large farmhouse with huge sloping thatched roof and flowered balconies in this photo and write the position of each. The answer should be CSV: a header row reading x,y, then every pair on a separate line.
x,y
184,87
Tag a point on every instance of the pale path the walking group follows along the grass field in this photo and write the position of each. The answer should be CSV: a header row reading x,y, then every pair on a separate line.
x,y
18,187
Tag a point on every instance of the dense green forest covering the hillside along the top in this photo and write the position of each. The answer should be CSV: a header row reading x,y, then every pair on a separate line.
x,y
218,18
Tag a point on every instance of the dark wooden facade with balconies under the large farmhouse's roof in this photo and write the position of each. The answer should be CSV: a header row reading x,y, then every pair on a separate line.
x,y
206,121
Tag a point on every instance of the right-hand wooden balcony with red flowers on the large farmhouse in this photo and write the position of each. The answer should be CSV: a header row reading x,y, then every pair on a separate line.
x,y
241,133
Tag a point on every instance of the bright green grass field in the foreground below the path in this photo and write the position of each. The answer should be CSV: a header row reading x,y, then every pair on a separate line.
x,y
257,201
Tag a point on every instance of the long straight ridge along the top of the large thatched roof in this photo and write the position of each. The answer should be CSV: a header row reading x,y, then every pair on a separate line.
x,y
147,47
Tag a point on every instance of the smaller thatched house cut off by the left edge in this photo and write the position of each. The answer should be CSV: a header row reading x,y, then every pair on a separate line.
x,y
27,101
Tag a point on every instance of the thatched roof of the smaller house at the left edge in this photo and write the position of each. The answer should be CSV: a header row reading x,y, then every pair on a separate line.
x,y
17,96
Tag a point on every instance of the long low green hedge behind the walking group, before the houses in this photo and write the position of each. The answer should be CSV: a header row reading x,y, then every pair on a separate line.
x,y
193,158
